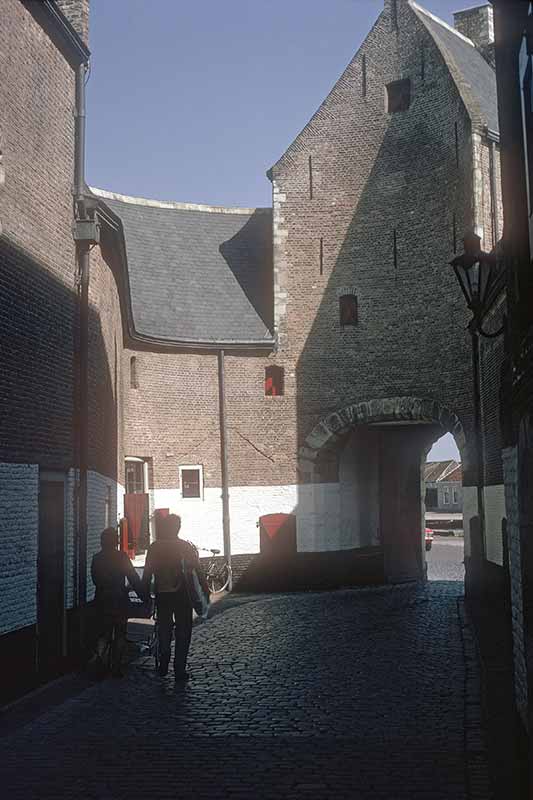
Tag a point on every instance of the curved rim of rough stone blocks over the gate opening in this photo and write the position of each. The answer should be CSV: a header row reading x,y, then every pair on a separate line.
x,y
326,433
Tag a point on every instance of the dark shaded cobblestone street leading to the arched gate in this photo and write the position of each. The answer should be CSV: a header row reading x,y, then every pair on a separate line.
x,y
348,694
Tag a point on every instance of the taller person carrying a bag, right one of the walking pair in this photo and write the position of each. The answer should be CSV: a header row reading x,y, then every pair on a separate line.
x,y
165,561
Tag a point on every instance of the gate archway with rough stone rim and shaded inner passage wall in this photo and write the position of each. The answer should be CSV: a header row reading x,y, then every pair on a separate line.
x,y
399,432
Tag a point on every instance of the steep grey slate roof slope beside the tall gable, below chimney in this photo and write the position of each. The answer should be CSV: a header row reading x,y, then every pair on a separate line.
x,y
474,77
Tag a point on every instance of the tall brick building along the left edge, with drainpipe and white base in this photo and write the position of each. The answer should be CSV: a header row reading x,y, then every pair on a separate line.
x,y
40,357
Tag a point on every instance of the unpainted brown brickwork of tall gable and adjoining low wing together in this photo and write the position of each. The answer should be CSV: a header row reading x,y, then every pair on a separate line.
x,y
374,179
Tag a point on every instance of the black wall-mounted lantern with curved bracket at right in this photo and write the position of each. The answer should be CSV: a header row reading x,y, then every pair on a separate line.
x,y
477,273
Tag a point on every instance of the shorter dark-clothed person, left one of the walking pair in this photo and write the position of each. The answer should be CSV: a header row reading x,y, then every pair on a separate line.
x,y
110,570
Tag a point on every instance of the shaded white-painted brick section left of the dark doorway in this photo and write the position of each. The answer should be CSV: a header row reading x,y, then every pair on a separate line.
x,y
19,529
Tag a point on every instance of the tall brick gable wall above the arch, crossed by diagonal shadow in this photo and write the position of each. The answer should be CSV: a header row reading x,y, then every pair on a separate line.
x,y
379,180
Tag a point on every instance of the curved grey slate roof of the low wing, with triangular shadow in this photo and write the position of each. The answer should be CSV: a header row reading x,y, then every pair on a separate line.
x,y
197,274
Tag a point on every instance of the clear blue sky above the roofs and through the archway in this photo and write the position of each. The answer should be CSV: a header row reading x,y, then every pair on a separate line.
x,y
195,101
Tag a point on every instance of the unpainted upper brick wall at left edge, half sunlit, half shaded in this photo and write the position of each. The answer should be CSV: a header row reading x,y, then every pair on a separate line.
x,y
37,259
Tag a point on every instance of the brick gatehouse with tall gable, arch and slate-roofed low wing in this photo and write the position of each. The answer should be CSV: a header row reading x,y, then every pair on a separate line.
x,y
361,361
